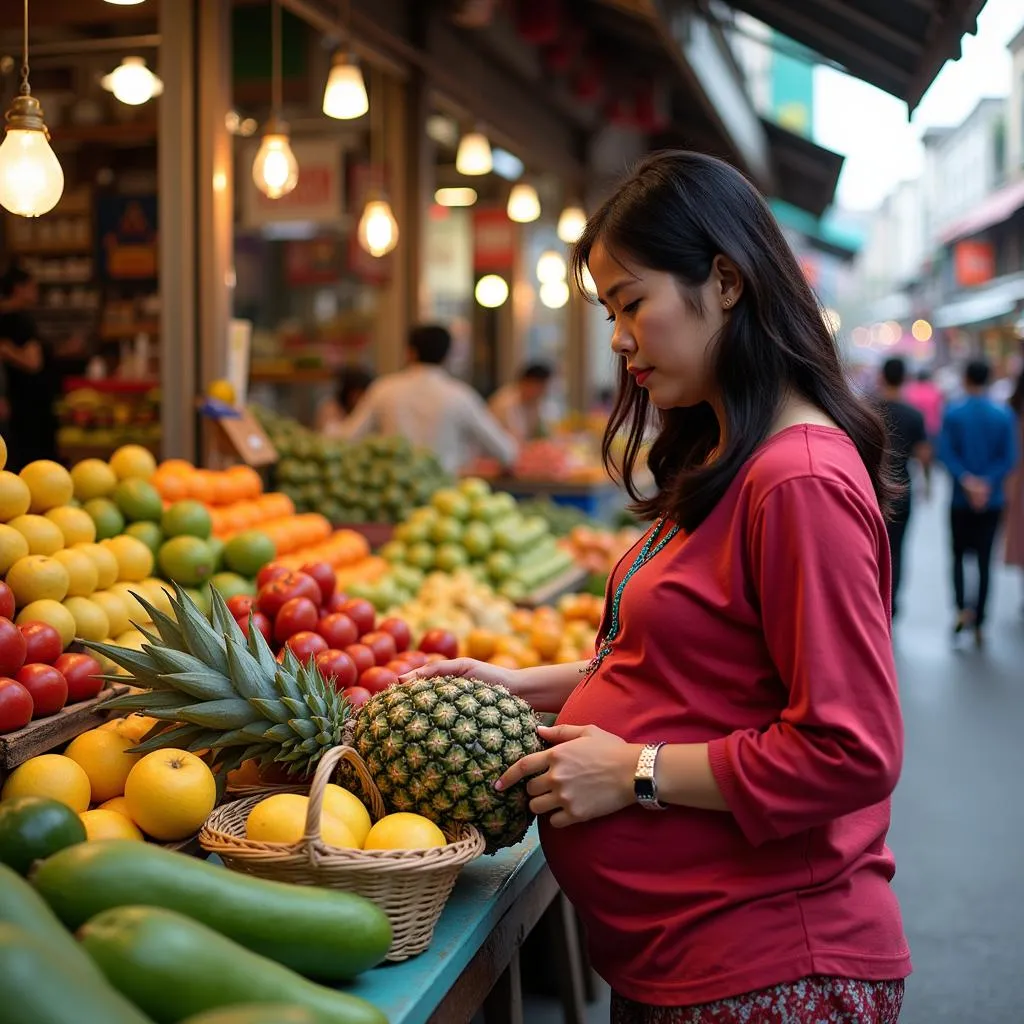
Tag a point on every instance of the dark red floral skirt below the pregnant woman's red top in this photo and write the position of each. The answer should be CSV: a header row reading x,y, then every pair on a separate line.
x,y
812,1001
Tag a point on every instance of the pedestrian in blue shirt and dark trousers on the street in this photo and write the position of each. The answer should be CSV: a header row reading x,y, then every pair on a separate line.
x,y
978,447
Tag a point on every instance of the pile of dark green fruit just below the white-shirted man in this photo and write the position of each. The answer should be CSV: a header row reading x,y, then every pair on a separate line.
x,y
380,480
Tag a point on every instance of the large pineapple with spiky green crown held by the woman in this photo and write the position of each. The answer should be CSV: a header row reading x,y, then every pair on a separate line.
x,y
436,747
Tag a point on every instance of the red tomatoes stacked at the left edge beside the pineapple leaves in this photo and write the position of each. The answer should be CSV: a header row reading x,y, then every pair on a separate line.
x,y
37,678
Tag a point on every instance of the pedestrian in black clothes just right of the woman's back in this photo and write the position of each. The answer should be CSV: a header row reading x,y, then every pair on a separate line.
x,y
909,440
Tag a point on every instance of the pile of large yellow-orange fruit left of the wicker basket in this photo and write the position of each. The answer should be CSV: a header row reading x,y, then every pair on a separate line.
x,y
166,795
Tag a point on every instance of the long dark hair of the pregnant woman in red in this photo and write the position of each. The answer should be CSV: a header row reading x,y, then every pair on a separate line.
x,y
676,214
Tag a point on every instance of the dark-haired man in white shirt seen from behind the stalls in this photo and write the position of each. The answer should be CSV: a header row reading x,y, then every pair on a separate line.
x,y
428,406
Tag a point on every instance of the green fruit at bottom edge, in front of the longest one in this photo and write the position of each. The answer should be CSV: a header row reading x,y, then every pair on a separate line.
x,y
174,967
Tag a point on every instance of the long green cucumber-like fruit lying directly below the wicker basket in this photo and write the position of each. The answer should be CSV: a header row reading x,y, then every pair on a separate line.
x,y
322,933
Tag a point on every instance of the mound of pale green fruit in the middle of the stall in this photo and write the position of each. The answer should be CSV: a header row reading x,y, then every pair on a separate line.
x,y
471,526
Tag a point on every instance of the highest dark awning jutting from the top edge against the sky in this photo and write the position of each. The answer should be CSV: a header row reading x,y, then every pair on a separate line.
x,y
898,46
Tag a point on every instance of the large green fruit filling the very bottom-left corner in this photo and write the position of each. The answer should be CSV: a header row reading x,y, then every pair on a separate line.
x,y
39,987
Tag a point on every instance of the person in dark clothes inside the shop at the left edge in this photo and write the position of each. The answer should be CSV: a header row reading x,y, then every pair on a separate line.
x,y
32,381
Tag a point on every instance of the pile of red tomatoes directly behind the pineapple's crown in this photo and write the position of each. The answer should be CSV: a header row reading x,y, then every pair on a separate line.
x,y
305,613
